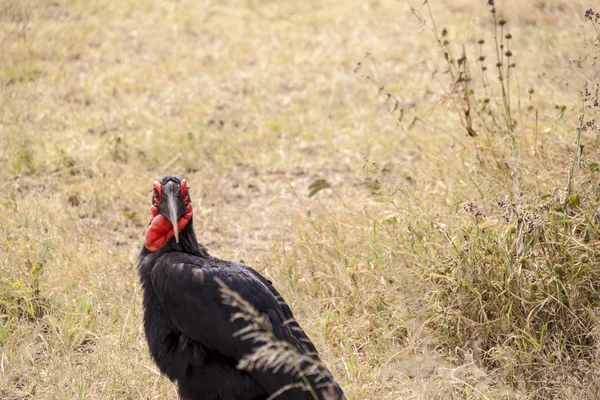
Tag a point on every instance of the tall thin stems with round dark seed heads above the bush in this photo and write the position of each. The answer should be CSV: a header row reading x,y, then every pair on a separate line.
x,y
481,96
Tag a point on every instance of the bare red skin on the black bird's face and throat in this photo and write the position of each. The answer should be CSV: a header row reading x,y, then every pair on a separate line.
x,y
160,230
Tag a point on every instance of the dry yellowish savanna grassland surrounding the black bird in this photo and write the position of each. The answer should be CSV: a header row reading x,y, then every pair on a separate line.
x,y
433,263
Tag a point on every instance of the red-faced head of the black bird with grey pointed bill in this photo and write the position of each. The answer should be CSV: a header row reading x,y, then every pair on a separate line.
x,y
171,211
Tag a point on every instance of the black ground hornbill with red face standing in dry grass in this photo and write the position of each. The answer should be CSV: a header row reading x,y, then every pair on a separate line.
x,y
199,333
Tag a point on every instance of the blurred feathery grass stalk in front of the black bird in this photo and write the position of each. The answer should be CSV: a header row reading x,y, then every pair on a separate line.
x,y
272,354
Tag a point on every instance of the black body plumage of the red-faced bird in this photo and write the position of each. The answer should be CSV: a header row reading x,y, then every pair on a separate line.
x,y
190,331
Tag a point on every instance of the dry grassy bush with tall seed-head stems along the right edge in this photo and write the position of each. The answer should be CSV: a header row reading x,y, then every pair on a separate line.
x,y
517,285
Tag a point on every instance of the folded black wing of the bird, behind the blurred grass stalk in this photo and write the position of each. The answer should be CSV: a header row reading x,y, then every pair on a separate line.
x,y
189,292
